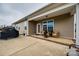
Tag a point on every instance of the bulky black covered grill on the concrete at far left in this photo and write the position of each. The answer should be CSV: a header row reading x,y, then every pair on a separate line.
x,y
8,32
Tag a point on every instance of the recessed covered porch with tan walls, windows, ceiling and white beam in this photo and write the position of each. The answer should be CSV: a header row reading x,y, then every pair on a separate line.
x,y
61,19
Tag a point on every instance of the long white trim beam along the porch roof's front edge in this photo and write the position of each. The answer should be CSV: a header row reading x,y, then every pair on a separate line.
x,y
53,10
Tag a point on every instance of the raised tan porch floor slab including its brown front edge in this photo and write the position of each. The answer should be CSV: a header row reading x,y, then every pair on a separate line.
x,y
61,41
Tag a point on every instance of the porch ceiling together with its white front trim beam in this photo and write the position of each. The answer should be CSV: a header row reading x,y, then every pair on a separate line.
x,y
54,12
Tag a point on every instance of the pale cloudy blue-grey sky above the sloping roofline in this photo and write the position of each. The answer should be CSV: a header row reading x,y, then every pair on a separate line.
x,y
11,12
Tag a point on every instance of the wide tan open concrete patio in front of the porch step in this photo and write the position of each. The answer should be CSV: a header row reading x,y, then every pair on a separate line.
x,y
29,46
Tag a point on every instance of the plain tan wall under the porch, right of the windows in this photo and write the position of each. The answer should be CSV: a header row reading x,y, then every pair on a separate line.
x,y
65,25
